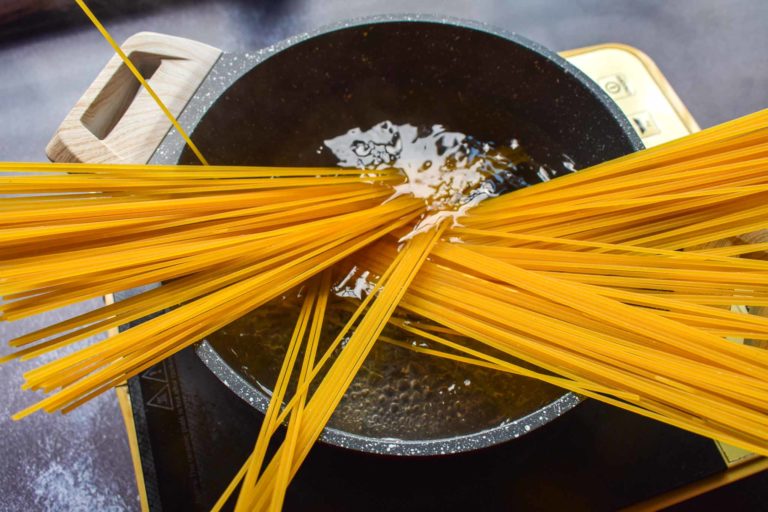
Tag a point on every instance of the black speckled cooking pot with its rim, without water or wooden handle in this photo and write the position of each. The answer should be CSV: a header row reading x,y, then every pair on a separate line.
x,y
276,106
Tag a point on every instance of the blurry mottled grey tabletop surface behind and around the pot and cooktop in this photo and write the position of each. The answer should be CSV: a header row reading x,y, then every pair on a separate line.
x,y
712,52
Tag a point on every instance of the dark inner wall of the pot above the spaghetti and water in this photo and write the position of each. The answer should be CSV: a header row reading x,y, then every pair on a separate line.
x,y
421,73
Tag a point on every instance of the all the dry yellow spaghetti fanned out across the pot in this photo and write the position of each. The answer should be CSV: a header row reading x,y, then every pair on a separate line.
x,y
605,280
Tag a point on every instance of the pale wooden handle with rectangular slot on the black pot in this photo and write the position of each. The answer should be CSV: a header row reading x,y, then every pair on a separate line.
x,y
116,120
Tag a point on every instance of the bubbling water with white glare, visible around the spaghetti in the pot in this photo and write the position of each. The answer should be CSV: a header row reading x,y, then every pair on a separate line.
x,y
399,393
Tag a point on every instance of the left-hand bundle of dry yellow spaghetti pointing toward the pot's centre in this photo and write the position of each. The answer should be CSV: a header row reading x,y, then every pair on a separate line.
x,y
224,240
